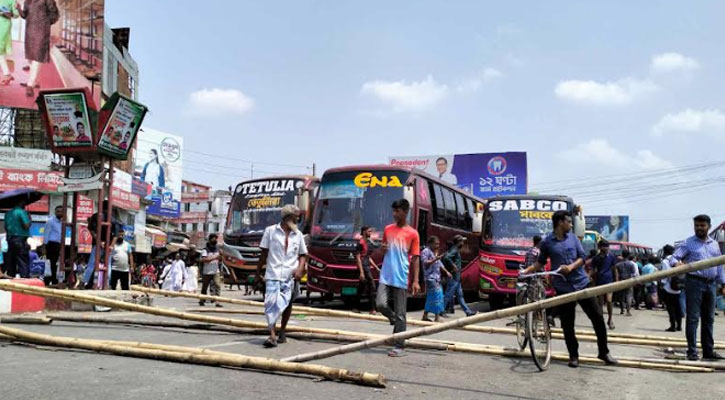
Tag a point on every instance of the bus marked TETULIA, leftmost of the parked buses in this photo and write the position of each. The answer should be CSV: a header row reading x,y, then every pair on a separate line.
x,y
255,205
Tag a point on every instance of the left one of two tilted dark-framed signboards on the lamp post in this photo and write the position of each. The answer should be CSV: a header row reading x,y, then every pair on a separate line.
x,y
68,121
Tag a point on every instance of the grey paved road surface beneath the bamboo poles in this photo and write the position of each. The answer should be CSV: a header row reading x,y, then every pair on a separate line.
x,y
31,373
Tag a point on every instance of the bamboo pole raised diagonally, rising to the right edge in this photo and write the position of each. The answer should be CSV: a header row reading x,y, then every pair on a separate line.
x,y
548,303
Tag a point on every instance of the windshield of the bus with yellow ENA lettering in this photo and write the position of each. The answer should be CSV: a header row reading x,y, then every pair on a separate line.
x,y
346,203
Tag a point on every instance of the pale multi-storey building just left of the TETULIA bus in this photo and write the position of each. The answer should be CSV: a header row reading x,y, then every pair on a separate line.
x,y
203,211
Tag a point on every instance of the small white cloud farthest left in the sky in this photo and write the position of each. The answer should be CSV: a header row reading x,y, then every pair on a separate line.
x,y
215,101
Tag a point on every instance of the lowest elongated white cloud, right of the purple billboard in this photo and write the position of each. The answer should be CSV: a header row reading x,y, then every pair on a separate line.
x,y
600,152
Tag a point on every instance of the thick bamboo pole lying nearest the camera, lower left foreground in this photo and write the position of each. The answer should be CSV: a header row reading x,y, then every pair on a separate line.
x,y
198,356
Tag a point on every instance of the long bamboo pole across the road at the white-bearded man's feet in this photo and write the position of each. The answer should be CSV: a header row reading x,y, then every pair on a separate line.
x,y
427,344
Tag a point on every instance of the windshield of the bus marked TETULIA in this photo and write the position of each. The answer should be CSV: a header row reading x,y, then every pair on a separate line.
x,y
256,205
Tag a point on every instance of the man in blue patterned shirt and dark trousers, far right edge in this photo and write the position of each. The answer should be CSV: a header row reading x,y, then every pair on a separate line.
x,y
700,288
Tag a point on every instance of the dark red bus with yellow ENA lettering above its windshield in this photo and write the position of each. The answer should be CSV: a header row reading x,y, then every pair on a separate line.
x,y
353,197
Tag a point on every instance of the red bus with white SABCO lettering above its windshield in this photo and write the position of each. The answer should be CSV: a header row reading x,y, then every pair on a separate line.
x,y
509,225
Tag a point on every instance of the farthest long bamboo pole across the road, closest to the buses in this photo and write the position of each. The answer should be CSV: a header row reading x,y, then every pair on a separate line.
x,y
374,318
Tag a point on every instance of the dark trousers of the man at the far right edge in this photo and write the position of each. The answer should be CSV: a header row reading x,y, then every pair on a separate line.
x,y
700,305
